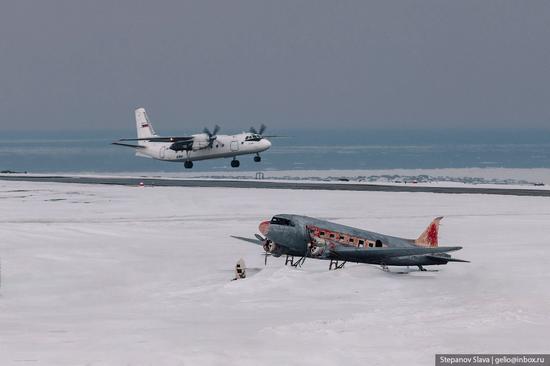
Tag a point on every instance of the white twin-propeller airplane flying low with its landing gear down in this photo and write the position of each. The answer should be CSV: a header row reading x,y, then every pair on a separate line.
x,y
202,146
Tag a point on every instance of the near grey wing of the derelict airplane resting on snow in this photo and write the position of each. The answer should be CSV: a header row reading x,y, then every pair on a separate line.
x,y
366,254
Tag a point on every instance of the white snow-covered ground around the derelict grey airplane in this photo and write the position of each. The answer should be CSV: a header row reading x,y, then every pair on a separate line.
x,y
108,275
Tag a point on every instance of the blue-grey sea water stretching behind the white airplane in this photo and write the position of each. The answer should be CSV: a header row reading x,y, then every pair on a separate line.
x,y
298,150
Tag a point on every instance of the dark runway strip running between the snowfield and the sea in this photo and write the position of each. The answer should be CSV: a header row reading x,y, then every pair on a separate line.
x,y
275,185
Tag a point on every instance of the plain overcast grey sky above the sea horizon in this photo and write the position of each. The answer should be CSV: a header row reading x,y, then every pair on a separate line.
x,y
351,64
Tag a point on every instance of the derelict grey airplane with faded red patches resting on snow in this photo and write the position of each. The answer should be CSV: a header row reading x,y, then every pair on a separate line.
x,y
307,237
